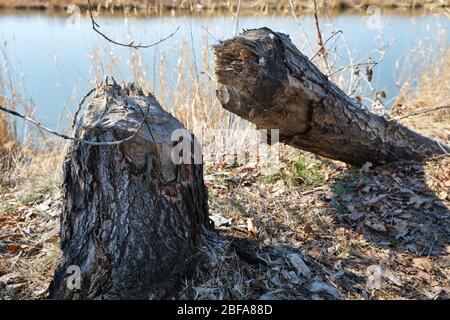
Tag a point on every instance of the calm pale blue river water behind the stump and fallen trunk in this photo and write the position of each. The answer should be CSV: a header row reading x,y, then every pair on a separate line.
x,y
52,61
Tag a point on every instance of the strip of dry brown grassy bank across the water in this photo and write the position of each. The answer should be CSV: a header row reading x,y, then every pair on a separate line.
x,y
198,5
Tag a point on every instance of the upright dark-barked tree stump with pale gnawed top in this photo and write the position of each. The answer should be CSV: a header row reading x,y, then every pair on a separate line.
x,y
133,220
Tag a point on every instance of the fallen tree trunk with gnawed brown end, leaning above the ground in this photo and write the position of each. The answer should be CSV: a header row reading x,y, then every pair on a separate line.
x,y
265,79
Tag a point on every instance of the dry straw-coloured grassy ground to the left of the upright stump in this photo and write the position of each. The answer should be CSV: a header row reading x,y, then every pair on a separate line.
x,y
29,224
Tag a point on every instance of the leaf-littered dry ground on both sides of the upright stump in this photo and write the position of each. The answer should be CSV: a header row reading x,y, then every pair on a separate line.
x,y
373,233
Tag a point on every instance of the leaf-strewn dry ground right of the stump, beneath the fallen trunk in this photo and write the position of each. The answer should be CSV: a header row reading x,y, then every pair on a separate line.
x,y
353,223
